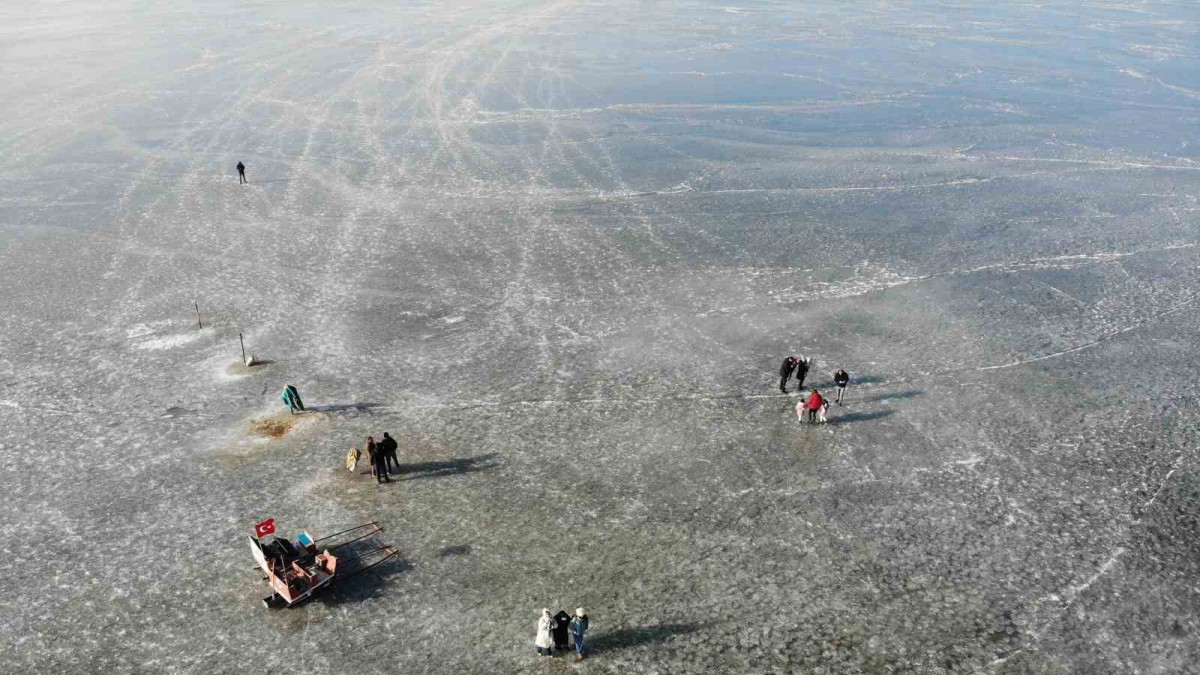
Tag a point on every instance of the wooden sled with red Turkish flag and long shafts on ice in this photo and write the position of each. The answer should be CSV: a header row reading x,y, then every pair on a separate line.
x,y
298,571
